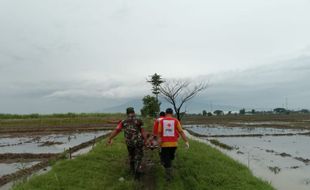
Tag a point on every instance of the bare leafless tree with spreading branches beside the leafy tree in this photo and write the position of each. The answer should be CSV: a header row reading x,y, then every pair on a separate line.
x,y
178,92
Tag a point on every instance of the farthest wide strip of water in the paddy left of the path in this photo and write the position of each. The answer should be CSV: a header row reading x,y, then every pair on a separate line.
x,y
55,143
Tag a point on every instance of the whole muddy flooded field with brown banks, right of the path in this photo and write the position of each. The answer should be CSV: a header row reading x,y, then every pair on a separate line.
x,y
277,151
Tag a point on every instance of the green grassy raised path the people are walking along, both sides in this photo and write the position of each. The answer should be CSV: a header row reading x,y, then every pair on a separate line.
x,y
200,167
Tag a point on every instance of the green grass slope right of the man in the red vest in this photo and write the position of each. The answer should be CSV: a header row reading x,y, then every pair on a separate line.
x,y
203,167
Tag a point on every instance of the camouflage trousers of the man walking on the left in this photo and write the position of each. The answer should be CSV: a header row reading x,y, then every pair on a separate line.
x,y
135,154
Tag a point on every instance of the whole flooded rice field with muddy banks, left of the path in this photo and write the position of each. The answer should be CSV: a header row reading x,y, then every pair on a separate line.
x,y
31,152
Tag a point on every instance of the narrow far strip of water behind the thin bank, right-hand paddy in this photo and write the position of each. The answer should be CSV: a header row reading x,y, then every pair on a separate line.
x,y
219,130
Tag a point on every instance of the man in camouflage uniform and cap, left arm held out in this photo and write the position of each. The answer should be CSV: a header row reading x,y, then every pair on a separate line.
x,y
134,137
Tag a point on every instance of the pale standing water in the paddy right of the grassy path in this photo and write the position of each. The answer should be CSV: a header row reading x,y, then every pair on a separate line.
x,y
284,161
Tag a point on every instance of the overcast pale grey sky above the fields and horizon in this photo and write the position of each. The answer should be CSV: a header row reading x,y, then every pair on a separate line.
x,y
85,56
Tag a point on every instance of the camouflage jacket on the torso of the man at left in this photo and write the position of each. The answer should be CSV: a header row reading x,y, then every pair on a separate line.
x,y
132,131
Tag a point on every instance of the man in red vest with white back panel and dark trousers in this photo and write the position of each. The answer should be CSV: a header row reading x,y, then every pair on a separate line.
x,y
169,129
